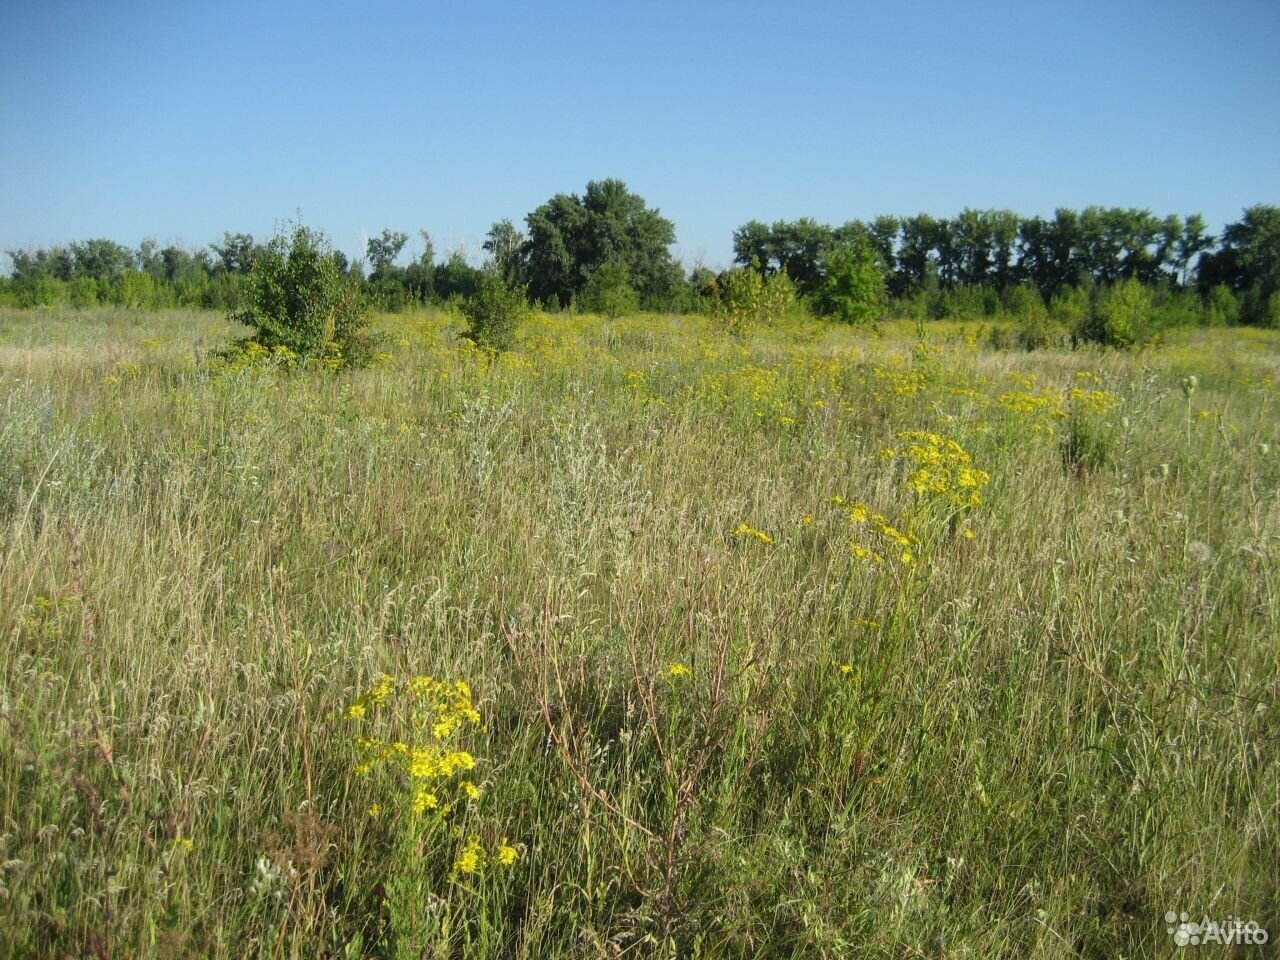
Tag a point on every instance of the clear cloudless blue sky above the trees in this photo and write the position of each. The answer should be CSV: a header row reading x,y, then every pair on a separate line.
x,y
181,121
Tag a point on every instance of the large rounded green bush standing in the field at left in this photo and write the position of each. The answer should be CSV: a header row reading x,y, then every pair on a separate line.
x,y
299,299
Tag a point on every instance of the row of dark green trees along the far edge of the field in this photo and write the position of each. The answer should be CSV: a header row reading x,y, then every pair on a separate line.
x,y
606,250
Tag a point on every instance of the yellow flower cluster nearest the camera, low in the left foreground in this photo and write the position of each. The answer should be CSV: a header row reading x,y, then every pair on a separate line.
x,y
436,714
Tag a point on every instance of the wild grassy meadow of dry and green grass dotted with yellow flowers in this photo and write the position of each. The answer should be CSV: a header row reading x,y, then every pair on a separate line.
x,y
824,642
